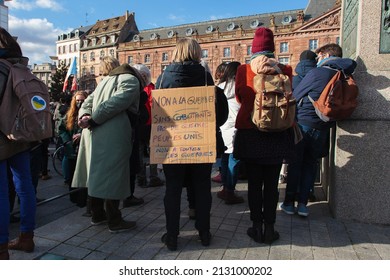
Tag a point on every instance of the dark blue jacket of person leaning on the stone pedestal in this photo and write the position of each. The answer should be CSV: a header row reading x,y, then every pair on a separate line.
x,y
313,84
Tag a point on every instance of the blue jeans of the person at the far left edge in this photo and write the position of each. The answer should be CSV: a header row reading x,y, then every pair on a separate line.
x,y
20,167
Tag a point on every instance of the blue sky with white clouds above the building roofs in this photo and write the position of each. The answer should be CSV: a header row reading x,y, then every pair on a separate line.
x,y
37,23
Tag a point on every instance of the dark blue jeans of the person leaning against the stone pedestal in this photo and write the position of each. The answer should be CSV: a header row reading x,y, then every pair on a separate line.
x,y
302,172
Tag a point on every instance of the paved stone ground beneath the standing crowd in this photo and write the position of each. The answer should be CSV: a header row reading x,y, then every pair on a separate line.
x,y
63,233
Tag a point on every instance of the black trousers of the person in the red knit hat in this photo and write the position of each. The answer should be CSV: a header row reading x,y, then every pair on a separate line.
x,y
263,193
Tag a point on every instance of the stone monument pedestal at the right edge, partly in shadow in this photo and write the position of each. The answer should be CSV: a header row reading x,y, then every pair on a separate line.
x,y
358,174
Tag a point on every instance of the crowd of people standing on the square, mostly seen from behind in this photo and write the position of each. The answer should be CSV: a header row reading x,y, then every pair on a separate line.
x,y
108,132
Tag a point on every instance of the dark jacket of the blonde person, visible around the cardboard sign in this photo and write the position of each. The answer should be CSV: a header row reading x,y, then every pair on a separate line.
x,y
192,74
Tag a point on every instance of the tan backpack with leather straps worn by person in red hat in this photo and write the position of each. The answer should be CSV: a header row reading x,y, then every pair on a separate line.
x,y
274,105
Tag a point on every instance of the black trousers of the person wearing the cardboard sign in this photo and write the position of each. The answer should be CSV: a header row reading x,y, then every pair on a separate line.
x,y
195,176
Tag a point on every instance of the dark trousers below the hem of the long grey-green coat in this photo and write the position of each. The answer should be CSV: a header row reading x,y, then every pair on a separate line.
x,y
114,215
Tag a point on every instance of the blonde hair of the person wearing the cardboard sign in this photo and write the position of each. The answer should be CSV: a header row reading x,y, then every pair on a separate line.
x,y
187,49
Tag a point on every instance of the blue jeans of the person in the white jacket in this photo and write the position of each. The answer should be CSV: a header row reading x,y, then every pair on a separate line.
x,y
229,171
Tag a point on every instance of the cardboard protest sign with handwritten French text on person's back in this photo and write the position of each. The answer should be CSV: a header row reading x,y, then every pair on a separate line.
x,y
183,125
